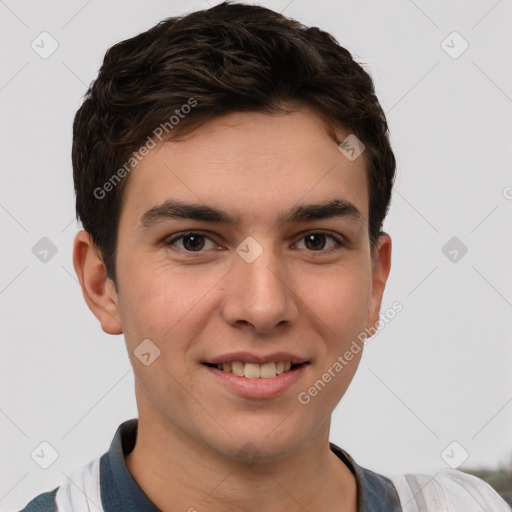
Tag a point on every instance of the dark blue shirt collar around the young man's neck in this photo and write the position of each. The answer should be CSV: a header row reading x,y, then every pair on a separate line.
x,y
119,490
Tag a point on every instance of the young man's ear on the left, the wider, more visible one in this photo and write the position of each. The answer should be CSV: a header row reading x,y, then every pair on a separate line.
x,y
98,290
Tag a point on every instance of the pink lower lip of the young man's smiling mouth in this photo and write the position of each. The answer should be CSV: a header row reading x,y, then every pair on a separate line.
x,y
258,388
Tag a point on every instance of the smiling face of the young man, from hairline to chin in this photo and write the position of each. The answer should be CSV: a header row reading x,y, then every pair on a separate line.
x,y
289,279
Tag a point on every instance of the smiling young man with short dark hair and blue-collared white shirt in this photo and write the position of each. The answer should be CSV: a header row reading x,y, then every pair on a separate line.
x,y
232,173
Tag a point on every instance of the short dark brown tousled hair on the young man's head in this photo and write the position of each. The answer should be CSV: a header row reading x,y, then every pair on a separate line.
x,y
232,57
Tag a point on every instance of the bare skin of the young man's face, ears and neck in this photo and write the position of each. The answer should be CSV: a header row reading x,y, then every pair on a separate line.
x,y
312,302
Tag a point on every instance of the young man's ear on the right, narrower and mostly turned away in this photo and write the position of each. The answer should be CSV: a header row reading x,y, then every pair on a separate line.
x,y
381,265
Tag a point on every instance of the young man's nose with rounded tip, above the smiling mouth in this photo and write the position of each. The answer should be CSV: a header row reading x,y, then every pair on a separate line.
x,y
260,295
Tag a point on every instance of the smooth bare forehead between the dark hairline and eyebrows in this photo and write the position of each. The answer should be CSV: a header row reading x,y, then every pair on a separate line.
x,y
251,165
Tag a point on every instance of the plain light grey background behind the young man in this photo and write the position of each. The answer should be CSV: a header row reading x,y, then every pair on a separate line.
x,y
439,372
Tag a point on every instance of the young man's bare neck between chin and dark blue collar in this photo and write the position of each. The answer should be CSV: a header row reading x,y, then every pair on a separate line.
x,y
176,473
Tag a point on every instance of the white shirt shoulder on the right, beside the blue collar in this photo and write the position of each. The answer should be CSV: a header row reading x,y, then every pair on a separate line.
x,y
447,490
